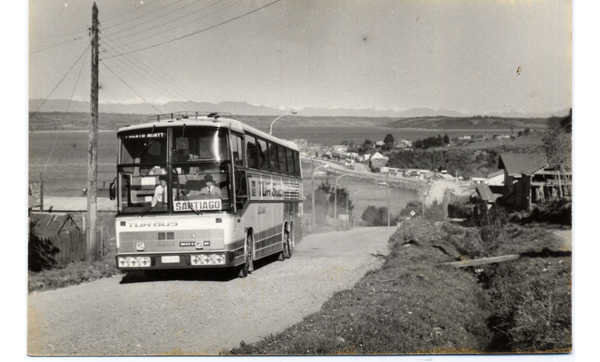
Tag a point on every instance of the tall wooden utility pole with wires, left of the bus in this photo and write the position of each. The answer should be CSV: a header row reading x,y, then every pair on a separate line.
x,y
93,143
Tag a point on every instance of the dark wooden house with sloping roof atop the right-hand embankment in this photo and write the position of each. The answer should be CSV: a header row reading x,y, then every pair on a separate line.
x,y
529,179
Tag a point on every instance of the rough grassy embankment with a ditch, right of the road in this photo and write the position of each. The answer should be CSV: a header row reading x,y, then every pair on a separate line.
x,y
415,305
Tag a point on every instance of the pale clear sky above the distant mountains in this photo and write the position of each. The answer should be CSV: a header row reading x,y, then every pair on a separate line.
x,y
470,56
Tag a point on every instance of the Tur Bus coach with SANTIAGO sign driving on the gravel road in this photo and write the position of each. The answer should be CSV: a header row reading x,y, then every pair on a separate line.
x,y
202,191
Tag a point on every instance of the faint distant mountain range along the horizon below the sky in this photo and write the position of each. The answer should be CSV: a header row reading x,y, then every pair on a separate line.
x,y
243,108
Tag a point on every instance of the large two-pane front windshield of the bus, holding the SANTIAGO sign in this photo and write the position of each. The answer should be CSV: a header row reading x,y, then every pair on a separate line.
x,y
198,164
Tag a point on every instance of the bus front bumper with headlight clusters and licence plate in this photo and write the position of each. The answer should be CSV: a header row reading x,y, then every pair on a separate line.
x,y
212,259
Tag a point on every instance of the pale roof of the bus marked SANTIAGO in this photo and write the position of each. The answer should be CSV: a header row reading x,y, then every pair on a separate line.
x,y
210,120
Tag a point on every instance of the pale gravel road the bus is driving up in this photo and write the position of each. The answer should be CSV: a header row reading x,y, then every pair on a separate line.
x,y
200,314
